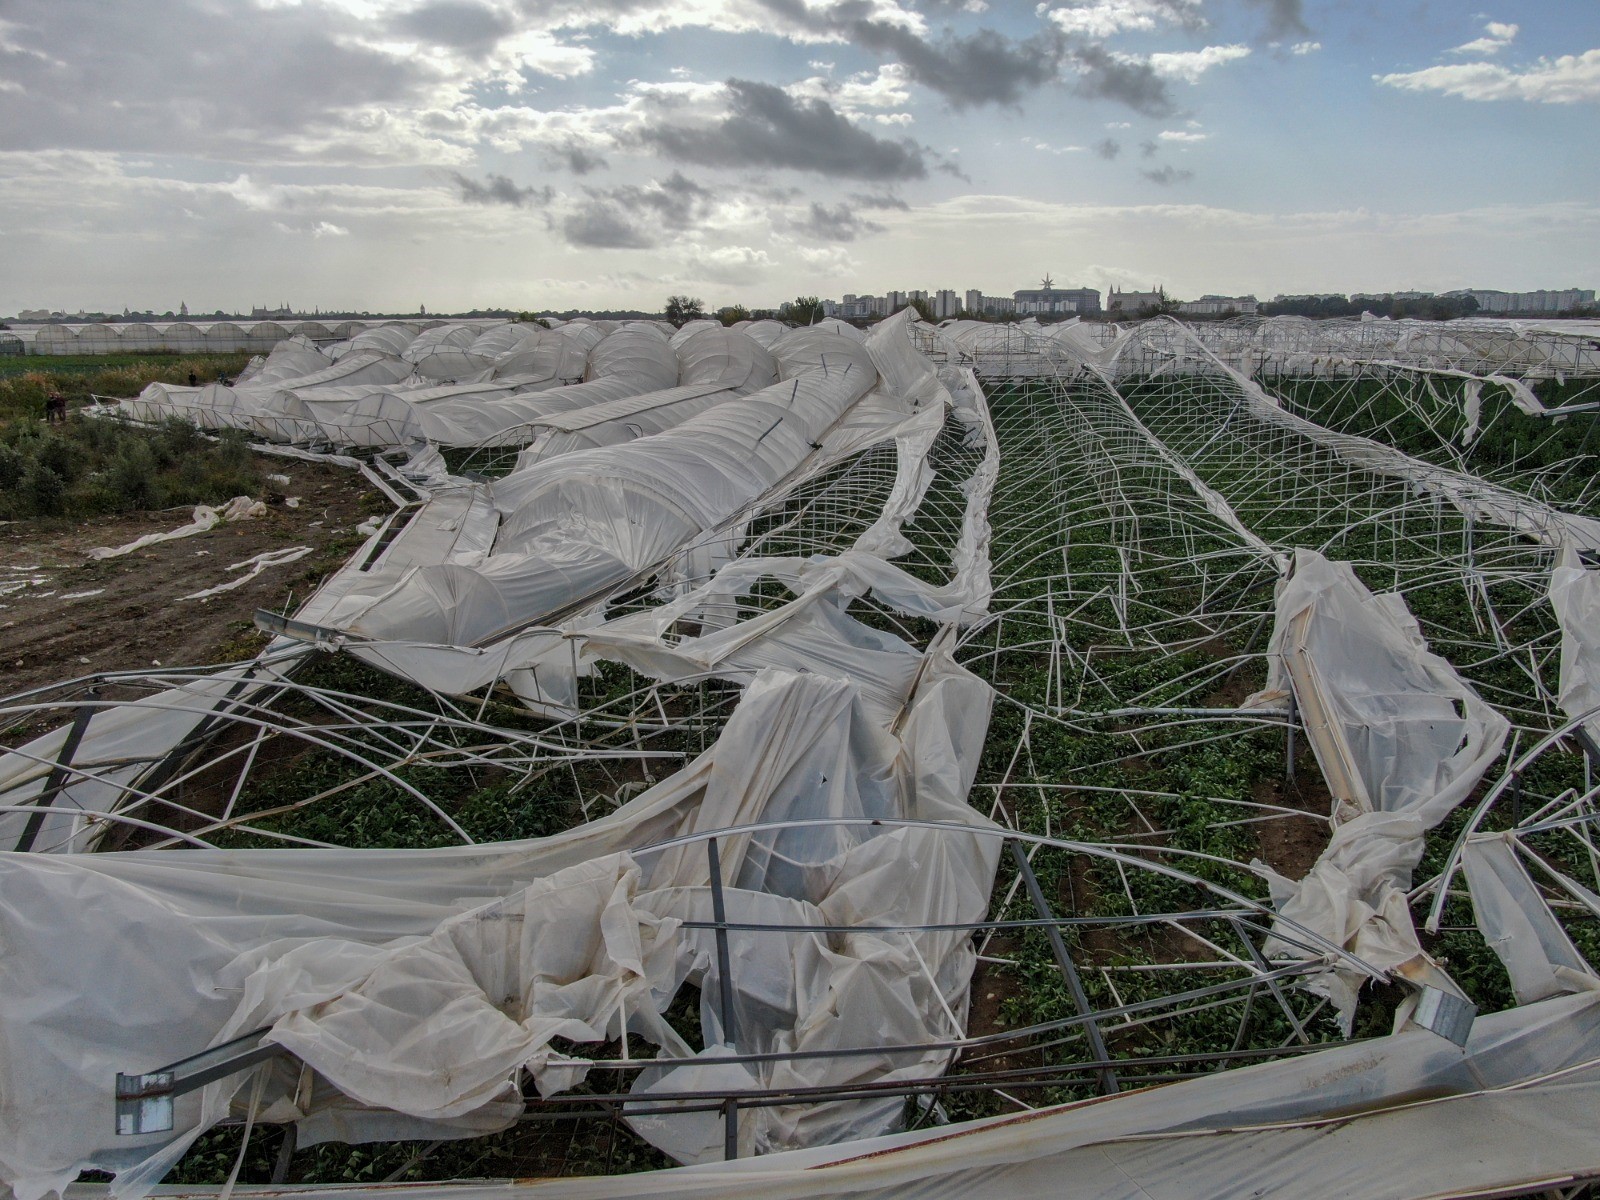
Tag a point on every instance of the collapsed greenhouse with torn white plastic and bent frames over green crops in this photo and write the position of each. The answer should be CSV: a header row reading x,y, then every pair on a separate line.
x,y
1038,761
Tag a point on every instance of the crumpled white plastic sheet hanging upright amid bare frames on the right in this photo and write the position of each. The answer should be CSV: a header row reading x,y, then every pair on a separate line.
x,y
1401,738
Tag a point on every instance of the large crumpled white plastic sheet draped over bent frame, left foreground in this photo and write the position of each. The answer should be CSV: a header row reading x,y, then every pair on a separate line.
x,y
374,966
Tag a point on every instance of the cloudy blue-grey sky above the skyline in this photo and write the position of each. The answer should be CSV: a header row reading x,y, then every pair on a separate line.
x,y
604,154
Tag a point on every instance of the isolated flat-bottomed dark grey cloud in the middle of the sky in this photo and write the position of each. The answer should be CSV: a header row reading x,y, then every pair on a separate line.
x,y
767,127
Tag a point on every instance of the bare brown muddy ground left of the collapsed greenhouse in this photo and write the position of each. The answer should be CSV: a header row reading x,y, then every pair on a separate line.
x,y
65,615
